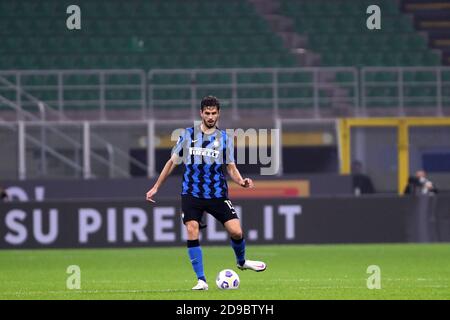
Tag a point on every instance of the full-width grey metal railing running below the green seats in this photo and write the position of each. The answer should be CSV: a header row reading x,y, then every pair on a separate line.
x,y
318,92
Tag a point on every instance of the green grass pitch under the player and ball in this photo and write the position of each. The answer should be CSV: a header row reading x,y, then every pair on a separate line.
x,y
294,272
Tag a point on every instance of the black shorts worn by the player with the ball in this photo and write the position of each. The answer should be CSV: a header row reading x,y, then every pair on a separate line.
x,y
193,208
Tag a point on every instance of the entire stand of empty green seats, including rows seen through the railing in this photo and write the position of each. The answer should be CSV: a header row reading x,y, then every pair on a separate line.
x,y
176,34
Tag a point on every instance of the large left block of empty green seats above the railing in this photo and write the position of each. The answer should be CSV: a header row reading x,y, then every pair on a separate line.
x,y
140,34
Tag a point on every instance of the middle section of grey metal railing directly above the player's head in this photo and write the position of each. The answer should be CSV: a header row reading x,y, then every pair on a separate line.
x,y
272,89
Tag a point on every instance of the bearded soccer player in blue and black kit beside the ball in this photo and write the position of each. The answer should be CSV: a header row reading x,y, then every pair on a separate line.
x,y
204,149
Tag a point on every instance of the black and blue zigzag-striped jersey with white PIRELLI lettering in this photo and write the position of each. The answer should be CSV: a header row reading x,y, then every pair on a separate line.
x,y
203,156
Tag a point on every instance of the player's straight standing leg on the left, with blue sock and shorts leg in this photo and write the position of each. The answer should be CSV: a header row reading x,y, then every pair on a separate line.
x,y
192,214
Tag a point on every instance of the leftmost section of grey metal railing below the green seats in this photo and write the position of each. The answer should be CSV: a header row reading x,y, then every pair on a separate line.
x,y
75,90
